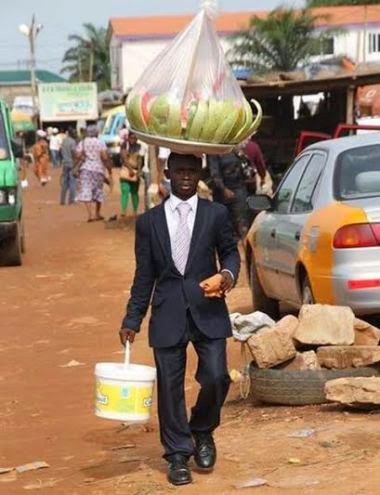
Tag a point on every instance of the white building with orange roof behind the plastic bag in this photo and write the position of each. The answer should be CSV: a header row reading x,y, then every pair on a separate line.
x,y
136,41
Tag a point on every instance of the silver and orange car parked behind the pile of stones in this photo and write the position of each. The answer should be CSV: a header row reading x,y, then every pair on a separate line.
x,y
318,239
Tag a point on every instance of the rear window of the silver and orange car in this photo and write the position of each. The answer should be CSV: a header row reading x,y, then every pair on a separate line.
x,y
358,173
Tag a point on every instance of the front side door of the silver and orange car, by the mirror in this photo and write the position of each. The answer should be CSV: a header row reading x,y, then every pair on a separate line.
x,y
266,245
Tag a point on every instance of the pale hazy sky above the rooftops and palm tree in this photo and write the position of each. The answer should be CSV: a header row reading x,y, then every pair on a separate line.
x,y
63,17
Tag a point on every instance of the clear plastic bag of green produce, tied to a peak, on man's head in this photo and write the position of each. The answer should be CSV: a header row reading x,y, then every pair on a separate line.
x,y
189,92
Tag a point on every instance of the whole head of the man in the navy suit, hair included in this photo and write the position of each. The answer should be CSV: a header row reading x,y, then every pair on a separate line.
x,y
184,172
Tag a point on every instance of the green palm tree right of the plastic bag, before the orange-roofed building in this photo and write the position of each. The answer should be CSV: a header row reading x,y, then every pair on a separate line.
x,y
282,41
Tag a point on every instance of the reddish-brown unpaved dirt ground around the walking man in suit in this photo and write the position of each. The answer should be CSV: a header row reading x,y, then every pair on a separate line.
x,y
65,304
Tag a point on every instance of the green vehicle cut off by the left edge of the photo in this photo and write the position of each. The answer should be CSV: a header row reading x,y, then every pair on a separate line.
x,y
11,224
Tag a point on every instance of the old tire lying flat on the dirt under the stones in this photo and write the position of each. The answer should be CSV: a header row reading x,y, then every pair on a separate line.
x,y
297,388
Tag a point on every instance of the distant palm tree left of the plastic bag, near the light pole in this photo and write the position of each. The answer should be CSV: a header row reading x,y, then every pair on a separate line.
x,y
88,59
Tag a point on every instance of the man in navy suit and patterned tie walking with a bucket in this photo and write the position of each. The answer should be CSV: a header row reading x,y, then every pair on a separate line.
x,y
177,247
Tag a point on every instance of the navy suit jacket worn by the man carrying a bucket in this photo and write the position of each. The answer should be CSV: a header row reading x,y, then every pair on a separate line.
x,y
173,293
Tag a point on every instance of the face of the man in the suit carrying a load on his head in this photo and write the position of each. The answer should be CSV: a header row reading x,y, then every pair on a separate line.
x,y
184,178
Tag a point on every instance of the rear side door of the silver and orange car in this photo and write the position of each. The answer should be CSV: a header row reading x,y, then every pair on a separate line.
x,y
289,230
